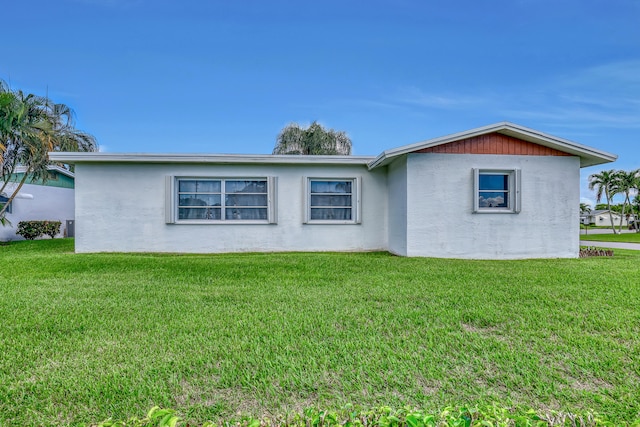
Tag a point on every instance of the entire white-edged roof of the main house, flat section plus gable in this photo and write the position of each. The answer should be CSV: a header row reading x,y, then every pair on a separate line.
x,y
588,156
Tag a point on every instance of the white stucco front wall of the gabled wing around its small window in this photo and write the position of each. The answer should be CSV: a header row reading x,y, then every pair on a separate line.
x,y
441,222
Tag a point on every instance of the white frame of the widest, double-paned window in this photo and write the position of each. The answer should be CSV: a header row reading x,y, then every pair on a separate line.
x,y
171,200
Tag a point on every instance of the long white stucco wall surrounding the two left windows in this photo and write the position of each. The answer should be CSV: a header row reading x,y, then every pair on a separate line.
x,y
121,207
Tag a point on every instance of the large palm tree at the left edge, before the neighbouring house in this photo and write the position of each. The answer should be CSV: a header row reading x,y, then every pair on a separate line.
x,y
30,127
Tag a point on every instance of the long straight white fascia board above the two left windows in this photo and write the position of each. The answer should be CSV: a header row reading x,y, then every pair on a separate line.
x,y
72,158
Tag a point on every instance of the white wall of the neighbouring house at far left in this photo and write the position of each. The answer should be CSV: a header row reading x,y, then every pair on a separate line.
x,y
48,203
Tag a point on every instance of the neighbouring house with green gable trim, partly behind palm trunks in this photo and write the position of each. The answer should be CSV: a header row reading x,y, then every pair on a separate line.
x,y
52,199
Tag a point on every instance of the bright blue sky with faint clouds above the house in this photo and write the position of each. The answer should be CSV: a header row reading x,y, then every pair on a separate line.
x,y
226,76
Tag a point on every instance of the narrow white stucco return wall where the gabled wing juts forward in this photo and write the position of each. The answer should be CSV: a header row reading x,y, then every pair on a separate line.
x,y
397,178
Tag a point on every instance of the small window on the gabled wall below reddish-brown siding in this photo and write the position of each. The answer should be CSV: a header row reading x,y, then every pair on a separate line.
x,y
497,191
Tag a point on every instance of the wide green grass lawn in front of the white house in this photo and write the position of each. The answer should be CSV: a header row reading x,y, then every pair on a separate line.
x,y
85,337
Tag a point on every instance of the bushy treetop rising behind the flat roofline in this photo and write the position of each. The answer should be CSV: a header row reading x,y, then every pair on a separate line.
x,y
314,140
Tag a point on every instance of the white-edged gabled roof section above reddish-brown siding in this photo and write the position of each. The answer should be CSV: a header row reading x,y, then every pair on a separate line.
x,y
588,156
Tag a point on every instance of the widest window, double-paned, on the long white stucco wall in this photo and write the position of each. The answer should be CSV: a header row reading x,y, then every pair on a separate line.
x,y
221,199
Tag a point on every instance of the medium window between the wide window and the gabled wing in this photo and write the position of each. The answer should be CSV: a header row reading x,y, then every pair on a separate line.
x,y
333,200
